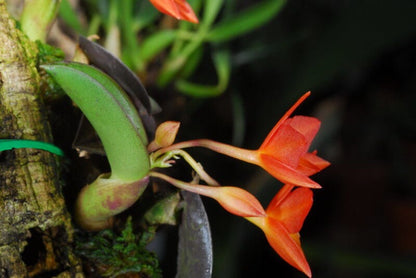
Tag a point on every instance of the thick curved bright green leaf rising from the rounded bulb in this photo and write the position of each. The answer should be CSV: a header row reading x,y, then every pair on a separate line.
x,y
111,114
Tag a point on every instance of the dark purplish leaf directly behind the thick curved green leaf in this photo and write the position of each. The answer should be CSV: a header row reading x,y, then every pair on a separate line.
x,y
131,84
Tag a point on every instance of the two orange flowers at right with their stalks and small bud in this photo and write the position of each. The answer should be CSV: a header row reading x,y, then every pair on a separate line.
x,y
284,154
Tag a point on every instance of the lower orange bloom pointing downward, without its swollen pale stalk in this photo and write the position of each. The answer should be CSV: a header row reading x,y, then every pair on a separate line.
x,y
283,221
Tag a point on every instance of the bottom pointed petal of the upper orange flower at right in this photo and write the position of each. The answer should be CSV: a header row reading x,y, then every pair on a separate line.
x,y
284,173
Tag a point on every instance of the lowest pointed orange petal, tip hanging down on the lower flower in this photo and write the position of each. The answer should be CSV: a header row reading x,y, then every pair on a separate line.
x,y
286,245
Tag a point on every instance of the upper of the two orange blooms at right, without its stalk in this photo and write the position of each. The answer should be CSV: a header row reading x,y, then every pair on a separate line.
x,y
284,151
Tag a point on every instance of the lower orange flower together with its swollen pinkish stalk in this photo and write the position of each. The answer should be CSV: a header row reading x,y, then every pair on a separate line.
x,y
281,222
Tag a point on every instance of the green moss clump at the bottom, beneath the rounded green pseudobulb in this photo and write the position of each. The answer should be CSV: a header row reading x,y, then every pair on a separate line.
x,y
113,255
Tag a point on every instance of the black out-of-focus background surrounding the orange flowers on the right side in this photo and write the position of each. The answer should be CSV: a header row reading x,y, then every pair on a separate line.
x,y
358,58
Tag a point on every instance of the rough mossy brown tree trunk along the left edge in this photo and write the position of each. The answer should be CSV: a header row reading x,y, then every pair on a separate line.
x,y
35,227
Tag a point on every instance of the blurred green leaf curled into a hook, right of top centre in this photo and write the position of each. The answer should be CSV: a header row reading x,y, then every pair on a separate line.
x,y
222,65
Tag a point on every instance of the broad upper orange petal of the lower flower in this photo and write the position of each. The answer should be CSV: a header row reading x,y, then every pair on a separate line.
x,y
293,209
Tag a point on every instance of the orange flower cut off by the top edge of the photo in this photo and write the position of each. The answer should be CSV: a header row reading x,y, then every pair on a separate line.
x,y
180,9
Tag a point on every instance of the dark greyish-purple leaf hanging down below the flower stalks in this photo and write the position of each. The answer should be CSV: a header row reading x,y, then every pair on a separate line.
x,y
195,243
